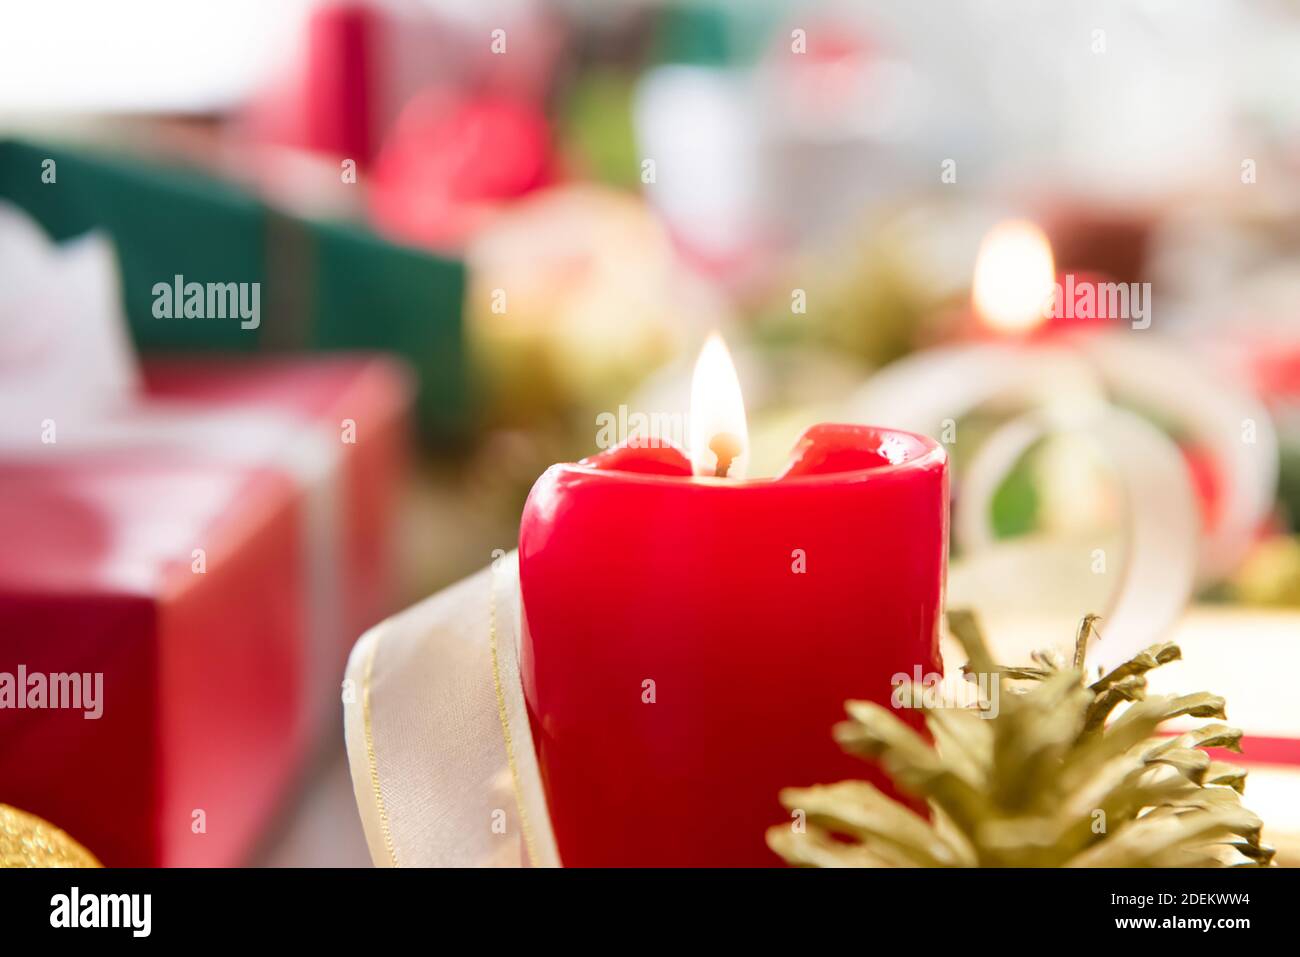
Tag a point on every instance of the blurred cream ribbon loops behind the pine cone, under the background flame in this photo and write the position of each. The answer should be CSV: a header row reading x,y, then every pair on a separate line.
x,y
1065,386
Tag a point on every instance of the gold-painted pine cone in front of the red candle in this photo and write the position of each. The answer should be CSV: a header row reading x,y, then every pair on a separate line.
x,y
1045,782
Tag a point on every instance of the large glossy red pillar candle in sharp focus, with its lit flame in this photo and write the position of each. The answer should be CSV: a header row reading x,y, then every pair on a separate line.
x,y
690,636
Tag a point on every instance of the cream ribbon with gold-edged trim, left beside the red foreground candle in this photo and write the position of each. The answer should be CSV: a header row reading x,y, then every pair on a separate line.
x,y
437,733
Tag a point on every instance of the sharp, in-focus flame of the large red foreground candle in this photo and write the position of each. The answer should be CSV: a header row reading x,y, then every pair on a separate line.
x,y
720,435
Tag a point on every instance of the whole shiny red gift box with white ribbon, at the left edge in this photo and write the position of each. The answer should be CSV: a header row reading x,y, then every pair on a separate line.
x,y
214,679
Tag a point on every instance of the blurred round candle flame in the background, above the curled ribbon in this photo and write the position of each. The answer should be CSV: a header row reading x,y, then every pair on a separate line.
x,y
1015,278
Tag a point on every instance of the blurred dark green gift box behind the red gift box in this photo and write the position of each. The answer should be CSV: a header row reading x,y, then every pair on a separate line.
x,y
324,287
